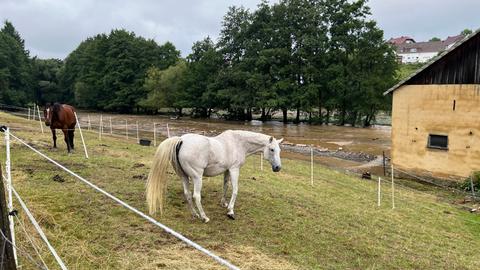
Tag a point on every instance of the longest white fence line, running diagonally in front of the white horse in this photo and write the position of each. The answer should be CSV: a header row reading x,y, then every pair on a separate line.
x,y
136,211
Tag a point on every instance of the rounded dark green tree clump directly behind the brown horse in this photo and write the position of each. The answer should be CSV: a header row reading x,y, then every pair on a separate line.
x,y
107,72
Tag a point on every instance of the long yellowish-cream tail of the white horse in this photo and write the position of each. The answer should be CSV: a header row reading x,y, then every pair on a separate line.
x,y
157,178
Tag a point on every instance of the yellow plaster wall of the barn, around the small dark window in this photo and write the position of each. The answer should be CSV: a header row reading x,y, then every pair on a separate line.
x,y
419,110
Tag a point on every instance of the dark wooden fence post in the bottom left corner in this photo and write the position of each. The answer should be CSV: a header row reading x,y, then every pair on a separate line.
x,y
8,259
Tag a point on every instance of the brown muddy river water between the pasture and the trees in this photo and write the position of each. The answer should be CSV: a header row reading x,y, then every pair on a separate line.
x,y
354,149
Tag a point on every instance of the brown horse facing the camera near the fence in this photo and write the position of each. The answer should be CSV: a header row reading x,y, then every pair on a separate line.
x,y
61,116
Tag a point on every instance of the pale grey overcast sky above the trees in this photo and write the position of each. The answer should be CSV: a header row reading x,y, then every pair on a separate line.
x,y
55,28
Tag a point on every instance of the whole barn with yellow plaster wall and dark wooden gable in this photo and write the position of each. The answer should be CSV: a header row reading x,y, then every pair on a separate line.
x,y
436,115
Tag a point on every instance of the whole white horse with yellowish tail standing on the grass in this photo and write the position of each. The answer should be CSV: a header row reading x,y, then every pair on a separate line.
x,y
194,156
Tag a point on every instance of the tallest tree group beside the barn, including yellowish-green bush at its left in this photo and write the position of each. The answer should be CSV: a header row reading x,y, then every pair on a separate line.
x,y
320,57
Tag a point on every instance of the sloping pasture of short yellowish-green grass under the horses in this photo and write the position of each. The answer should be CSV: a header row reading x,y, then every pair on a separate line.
x,y
282,221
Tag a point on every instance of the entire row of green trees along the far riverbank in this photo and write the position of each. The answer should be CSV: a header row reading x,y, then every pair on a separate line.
x,y
323,57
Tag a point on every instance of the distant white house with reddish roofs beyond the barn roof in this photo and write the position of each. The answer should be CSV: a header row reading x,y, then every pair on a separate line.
x,y
409,51
